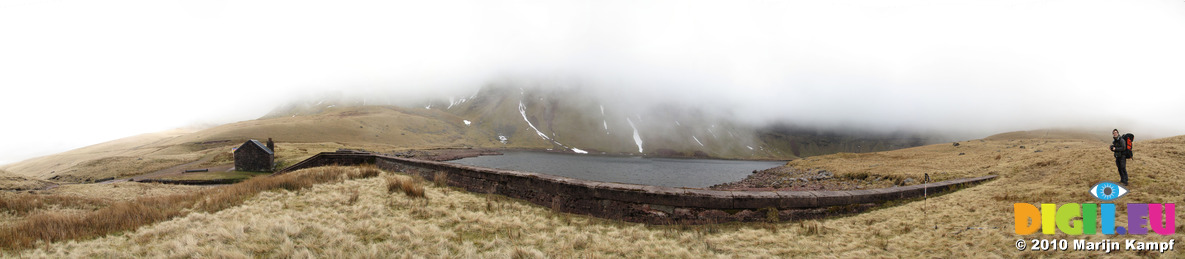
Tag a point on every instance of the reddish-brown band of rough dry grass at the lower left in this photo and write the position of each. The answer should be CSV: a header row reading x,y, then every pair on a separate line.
x,y
49,225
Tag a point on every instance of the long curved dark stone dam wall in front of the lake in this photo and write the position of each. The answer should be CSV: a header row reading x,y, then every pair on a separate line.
x,y
638,203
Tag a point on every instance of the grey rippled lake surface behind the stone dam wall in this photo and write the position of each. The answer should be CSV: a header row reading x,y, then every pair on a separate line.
x,y
639,171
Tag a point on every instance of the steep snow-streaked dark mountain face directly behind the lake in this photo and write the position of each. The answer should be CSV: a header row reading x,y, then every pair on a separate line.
x,y
568,120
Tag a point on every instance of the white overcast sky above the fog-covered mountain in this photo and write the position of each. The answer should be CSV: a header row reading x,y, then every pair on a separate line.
x,y
82,73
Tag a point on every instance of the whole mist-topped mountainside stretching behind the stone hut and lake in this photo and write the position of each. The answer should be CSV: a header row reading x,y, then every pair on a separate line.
x,y
498,116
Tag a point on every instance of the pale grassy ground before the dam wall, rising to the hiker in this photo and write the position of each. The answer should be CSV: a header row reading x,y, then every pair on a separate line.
x,y
364,218
